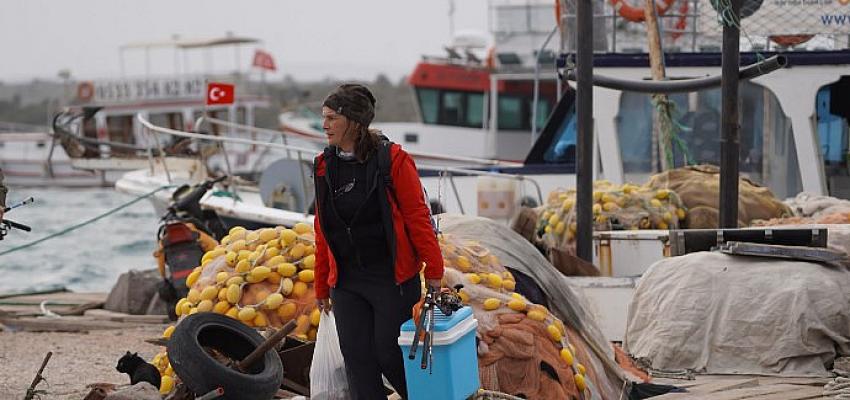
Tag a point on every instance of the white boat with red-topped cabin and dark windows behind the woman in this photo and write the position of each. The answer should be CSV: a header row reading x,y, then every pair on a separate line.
x,y
479,91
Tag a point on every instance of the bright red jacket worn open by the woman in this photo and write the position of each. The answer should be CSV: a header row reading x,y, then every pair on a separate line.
x,y
415,241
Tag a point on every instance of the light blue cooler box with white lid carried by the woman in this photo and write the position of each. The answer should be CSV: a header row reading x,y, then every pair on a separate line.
x,y
454,373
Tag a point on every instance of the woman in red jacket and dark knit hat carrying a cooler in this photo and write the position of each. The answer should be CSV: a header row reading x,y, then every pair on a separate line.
x,y
373,236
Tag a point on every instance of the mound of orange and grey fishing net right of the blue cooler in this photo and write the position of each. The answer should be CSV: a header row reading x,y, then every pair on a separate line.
x,y
525,348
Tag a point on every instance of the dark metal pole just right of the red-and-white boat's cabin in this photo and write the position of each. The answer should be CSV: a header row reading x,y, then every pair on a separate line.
x,y
584,112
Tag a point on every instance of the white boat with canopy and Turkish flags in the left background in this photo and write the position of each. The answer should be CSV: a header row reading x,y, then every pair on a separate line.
x,y
98,129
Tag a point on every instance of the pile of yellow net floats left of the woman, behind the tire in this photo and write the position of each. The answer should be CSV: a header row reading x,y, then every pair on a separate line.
x,y
262,278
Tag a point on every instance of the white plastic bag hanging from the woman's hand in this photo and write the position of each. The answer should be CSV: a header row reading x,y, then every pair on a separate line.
x,y
327,372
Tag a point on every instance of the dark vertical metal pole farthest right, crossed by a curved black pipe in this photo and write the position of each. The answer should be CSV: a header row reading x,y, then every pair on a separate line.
x,y
729,139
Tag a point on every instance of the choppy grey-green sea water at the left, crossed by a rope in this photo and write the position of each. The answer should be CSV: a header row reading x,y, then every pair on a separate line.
x,y
87,259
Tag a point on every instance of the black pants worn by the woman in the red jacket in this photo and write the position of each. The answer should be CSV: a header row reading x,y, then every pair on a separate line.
x,y
369,314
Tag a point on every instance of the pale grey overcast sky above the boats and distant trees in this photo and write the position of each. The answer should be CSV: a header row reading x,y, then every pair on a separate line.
x,y
309,39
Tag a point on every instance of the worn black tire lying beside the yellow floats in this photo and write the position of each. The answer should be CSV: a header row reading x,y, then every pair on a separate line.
x,y
202,373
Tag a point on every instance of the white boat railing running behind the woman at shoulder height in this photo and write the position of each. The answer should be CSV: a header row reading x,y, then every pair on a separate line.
x,y
446,172
